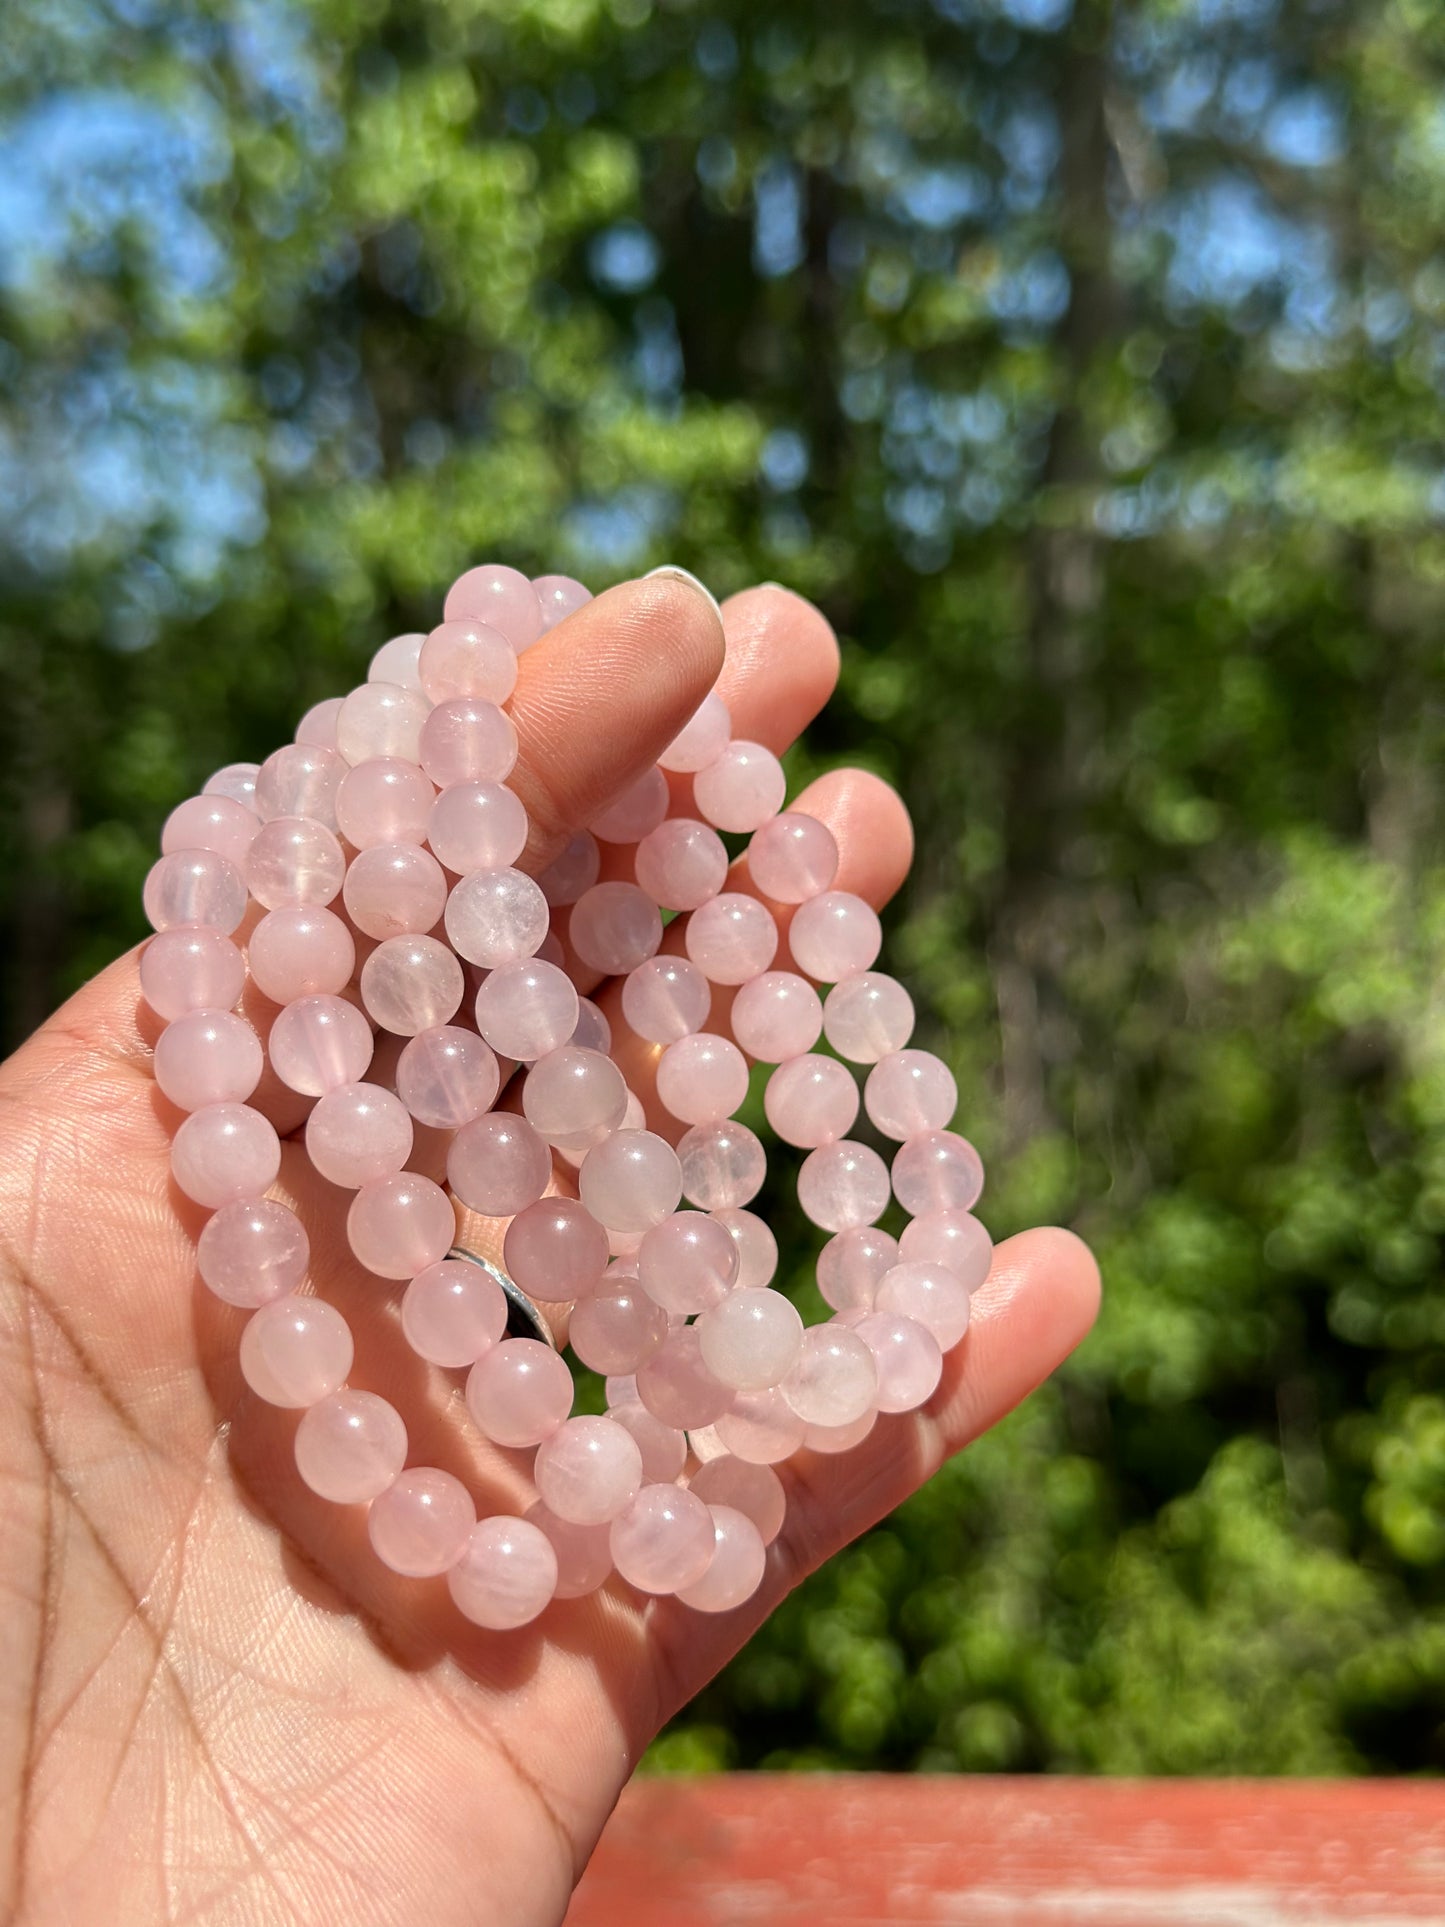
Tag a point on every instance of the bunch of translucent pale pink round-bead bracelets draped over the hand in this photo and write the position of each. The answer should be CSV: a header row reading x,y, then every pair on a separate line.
x,y
382,847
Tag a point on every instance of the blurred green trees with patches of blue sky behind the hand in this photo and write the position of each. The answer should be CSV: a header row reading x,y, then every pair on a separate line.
x,y
1086,363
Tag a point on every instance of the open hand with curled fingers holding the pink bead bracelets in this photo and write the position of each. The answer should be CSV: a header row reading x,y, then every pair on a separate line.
x,y
215,1703
